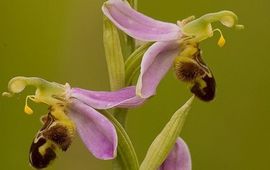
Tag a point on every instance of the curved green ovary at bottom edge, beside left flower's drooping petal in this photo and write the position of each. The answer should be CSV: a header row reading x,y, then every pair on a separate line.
x,y
126,158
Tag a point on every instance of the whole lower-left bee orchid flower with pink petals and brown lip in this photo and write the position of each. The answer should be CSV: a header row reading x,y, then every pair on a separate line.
x,y
72,109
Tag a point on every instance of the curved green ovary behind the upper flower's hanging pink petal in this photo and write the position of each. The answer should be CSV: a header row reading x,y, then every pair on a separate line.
x,y
133,62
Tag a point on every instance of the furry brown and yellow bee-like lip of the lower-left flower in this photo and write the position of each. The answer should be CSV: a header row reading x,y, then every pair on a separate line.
x,y
55,133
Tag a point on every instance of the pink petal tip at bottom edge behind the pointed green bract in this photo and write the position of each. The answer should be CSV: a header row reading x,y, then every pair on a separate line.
x,y
179,158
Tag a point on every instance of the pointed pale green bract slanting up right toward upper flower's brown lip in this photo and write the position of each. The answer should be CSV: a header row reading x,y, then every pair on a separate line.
x,y
165,141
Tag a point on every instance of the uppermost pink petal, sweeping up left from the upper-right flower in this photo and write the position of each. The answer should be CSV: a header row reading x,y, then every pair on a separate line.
x,y
137,25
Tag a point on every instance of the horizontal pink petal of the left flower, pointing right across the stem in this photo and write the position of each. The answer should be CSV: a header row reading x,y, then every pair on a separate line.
x,y
124,98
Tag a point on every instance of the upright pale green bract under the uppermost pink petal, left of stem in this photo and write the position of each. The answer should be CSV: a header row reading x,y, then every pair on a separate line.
x,y
114,57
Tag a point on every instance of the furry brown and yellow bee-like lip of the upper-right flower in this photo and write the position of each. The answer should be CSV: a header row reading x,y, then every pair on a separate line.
x,y
189,67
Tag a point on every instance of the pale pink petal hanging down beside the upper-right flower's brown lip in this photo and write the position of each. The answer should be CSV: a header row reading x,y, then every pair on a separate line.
x,y
155,64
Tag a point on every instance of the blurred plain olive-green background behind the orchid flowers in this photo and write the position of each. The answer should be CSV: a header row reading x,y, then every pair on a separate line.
x,y
62,41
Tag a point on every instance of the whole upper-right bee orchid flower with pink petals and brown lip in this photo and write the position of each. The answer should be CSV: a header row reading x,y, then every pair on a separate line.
x,y
175,44
